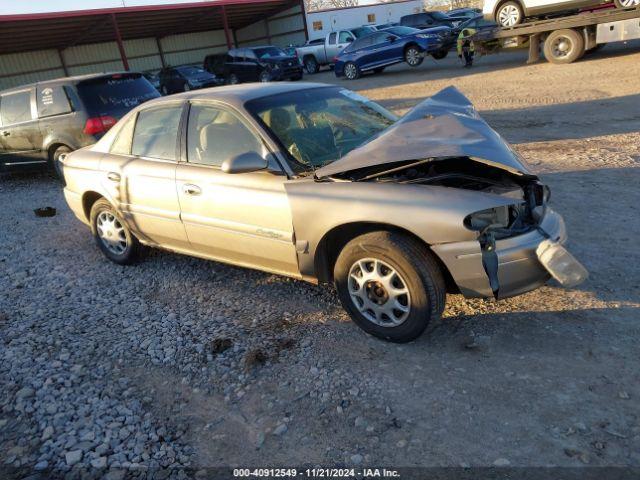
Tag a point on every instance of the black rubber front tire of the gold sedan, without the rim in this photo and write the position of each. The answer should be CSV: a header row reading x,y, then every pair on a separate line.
x,y
417,268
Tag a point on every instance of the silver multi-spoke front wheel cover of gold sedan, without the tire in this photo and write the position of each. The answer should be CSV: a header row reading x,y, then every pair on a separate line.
x,y
379,292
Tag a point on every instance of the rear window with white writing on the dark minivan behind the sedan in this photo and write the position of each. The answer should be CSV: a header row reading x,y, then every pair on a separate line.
x,y
116,93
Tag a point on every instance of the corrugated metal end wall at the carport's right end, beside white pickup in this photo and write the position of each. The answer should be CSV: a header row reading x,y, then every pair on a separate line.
x,y
282,29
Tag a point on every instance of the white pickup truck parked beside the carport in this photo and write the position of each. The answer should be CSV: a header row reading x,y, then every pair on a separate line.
x,y
317,53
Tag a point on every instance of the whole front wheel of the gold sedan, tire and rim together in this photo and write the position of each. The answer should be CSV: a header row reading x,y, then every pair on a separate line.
x,y
390,285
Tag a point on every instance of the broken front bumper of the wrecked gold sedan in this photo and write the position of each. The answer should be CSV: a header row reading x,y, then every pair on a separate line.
x,y
519,269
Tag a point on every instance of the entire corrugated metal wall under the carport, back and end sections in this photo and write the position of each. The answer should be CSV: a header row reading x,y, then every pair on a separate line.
x,y
283,28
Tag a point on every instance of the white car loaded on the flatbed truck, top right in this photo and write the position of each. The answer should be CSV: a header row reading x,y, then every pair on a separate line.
x,y
509,13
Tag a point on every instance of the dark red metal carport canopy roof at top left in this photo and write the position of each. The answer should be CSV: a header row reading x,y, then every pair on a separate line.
x,y
60,30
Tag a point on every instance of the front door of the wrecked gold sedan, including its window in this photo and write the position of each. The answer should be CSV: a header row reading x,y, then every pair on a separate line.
x,y
242,218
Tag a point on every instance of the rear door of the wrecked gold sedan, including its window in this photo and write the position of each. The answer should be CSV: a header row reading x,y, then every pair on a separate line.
x,y
139,175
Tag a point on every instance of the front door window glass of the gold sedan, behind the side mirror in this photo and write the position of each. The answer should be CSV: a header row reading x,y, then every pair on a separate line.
x,y
214,135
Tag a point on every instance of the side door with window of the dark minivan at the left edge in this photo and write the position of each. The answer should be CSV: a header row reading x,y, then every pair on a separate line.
x,y
20,138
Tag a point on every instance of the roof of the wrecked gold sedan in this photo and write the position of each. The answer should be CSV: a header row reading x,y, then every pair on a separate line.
x,y
239,94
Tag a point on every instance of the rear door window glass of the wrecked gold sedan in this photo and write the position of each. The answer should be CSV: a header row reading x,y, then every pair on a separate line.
x,y
156,132
